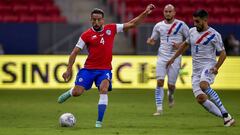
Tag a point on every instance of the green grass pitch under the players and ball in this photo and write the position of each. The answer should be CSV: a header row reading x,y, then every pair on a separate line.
x,y
36,112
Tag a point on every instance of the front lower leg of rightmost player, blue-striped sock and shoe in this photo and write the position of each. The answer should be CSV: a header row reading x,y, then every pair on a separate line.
x,y
227,118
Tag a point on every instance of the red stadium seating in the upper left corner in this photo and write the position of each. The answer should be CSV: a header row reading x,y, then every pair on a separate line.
x,y
21,11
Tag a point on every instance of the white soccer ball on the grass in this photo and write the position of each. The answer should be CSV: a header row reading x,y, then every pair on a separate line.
x,y
67,120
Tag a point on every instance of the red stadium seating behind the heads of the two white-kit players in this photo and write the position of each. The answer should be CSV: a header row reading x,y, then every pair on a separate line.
x,y
227,14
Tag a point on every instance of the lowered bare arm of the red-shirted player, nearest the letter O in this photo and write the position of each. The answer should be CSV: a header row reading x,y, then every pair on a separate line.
x,y
71,61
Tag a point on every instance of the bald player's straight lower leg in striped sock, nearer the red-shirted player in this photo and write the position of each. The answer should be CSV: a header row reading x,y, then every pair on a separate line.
x,y
159,95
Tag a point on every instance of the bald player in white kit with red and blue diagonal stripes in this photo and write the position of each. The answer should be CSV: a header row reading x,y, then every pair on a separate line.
x,y
171,32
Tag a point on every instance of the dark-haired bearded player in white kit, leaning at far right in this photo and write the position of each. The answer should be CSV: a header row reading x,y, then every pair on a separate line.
x,y
205,41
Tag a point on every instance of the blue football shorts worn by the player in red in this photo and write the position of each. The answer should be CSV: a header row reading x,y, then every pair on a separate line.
x,y
86,77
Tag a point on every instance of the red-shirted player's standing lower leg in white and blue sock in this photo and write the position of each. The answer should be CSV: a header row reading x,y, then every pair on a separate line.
x,y
102,105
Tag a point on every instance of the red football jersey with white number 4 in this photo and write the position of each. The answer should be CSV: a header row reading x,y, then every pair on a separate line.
x,y
99,46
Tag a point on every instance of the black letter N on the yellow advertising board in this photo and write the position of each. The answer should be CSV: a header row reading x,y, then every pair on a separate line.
x,y
36,69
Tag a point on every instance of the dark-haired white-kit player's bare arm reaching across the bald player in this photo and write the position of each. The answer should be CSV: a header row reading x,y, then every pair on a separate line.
x,y
181,50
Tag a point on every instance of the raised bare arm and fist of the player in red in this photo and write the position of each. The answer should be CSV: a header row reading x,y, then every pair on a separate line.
x,y
134,22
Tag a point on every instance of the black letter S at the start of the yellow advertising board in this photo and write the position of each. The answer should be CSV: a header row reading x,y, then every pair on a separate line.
x,y
6,69
